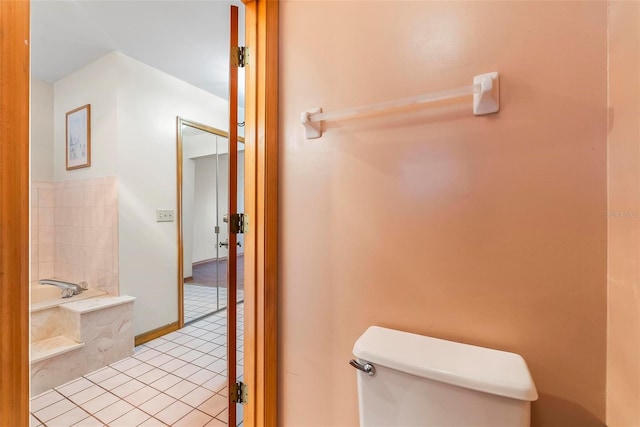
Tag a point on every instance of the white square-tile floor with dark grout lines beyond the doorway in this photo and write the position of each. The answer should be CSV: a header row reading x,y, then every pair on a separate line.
x,y
179,379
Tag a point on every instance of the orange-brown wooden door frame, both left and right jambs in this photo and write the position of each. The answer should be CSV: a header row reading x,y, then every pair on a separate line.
x,y
261,151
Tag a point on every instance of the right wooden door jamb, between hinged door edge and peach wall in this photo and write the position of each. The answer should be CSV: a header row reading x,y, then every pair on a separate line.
x,y
261,202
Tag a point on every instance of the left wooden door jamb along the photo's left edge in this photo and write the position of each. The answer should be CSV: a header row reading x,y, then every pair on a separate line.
x,y
14,213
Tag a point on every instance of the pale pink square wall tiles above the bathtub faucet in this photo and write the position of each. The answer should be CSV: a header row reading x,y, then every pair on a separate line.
x,y
74,229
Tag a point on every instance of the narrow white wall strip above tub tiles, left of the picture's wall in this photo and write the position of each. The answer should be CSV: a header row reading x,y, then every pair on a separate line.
x,y
41,130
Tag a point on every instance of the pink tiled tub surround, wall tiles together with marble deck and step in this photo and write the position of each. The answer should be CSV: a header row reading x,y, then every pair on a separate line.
x,y
74,238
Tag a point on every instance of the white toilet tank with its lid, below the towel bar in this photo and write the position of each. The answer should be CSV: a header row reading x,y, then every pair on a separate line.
x,y
423,381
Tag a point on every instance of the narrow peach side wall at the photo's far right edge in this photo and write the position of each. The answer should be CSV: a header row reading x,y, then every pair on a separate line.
x,y
623,350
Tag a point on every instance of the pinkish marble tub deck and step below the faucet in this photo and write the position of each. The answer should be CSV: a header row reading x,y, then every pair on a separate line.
x,y
78,337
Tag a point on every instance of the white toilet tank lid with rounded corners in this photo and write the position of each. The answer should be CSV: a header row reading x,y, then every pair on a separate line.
x,y
468,366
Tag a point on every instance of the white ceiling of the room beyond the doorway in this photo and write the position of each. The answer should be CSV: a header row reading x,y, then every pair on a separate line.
x,y
187,39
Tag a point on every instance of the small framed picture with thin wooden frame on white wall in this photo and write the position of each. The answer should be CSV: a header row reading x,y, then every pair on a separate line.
x,y
78,140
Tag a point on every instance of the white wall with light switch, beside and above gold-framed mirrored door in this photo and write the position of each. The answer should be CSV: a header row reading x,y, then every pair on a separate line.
x,y
148,104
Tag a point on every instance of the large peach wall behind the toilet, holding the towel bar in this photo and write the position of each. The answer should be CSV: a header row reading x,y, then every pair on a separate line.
x,y
488,230
